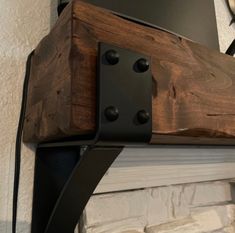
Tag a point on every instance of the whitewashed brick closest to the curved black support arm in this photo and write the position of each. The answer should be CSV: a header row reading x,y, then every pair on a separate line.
x,y
128,208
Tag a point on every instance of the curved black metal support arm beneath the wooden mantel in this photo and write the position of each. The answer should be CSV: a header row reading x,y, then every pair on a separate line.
x,y
64,182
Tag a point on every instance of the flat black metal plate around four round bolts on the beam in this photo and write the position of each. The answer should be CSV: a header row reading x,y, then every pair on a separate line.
x,y
129,90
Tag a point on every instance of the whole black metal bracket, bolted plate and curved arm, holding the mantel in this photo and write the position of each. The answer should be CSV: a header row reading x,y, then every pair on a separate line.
x,y
67,173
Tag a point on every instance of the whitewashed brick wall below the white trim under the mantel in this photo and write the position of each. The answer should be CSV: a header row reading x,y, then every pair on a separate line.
x,y
190,208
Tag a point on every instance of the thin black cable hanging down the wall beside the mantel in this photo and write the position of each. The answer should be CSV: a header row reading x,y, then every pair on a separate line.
x,y
18,143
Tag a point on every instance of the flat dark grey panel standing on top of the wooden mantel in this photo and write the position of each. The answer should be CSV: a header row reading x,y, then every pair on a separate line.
x,y
194,19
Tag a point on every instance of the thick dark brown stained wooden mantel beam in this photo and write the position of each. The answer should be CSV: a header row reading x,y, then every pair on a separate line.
x,y
193,86
